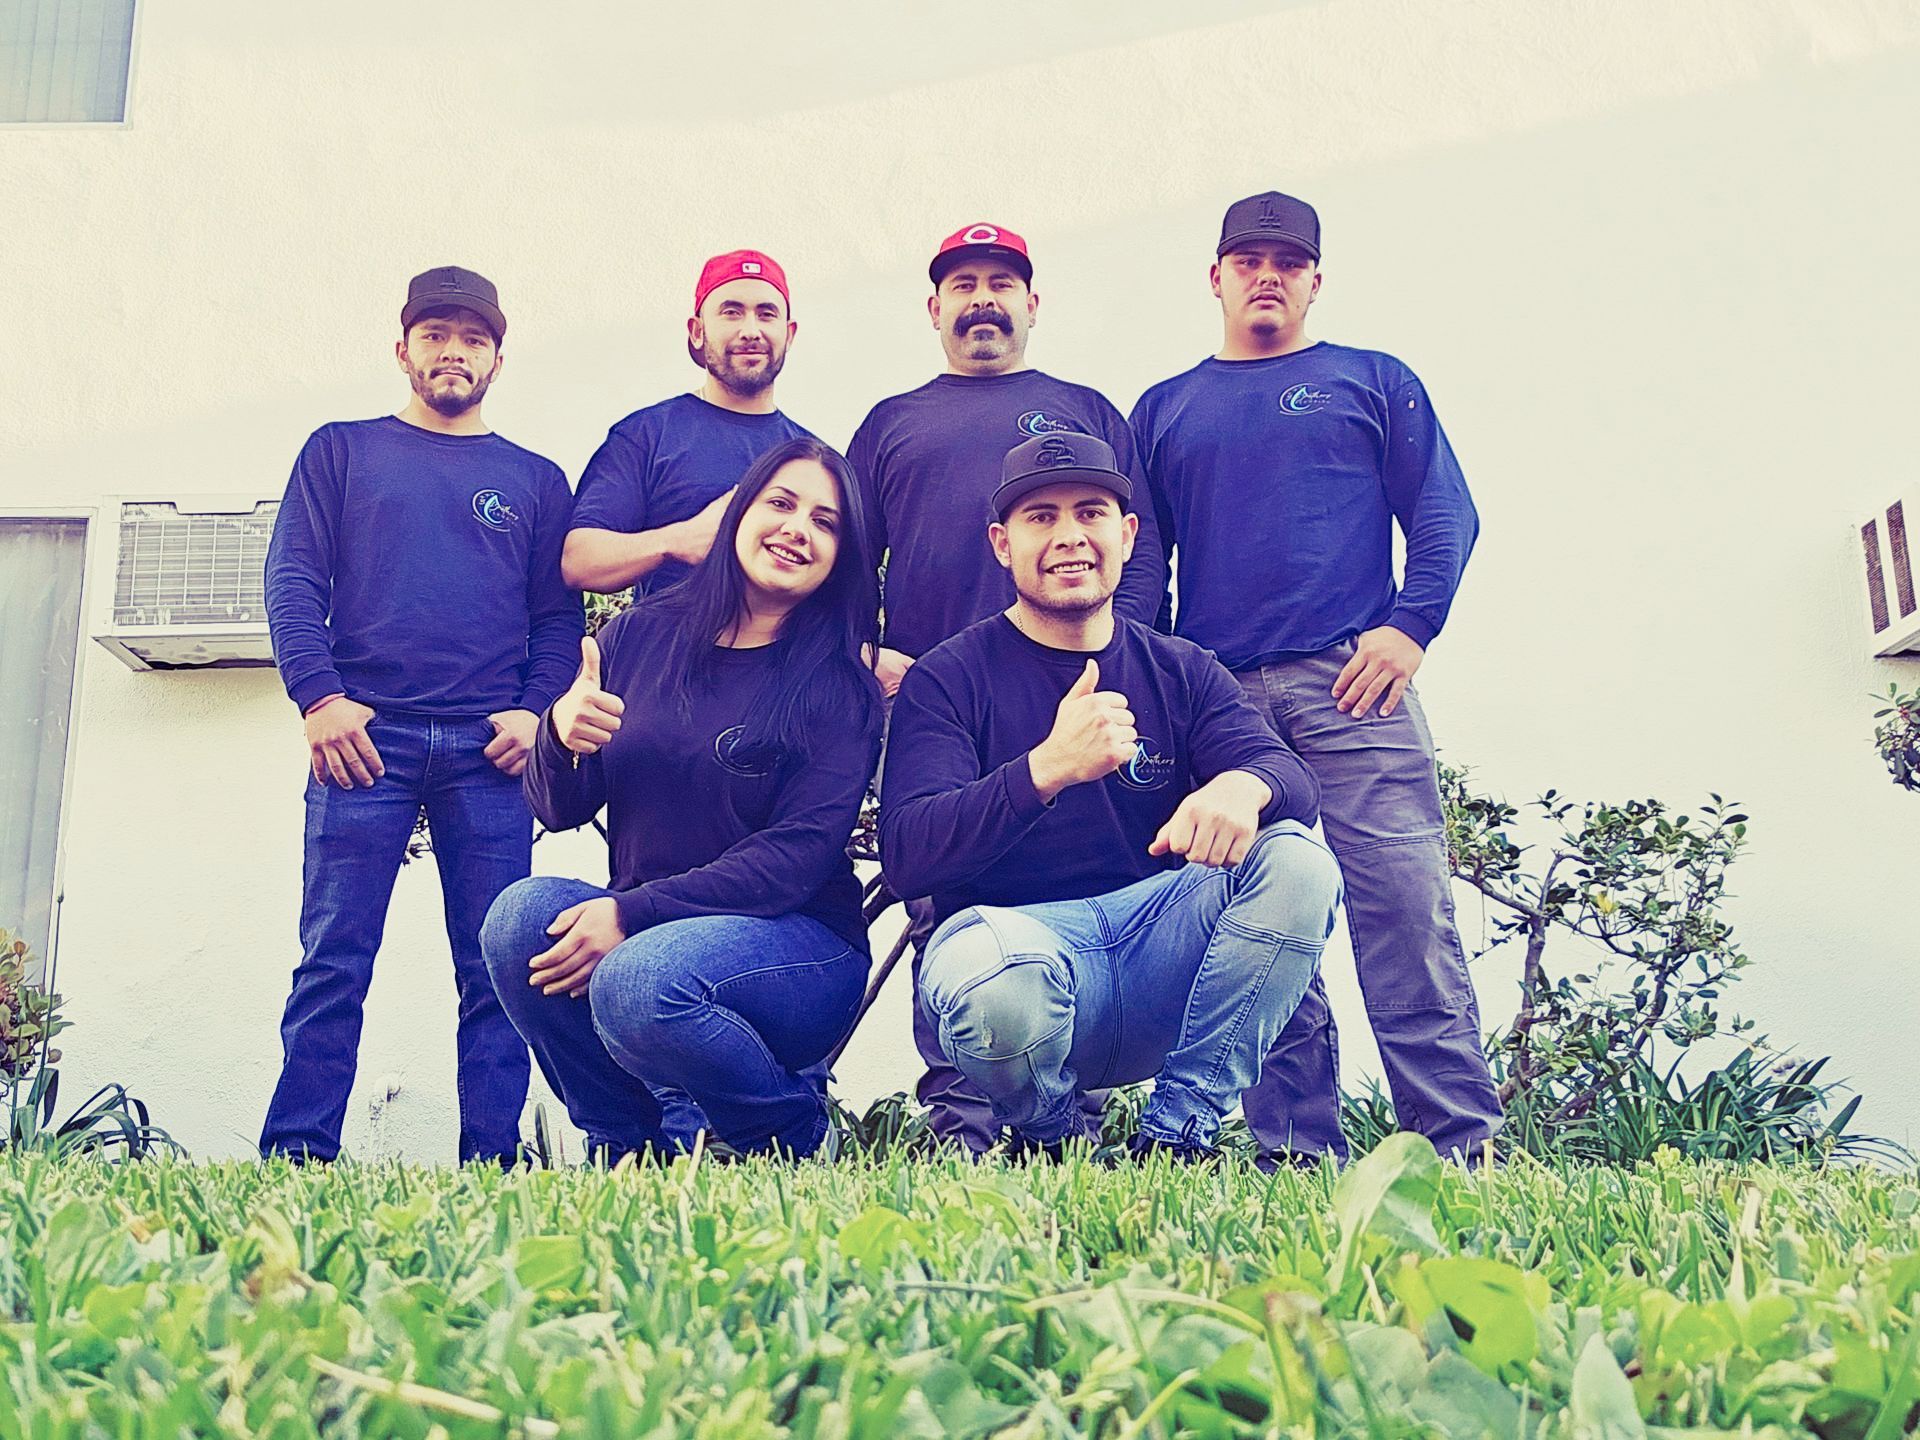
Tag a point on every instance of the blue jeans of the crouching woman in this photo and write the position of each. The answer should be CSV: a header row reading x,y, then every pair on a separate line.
x,y
731,1011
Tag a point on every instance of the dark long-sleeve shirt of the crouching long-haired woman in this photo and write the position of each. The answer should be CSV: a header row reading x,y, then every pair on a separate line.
x,y
692,828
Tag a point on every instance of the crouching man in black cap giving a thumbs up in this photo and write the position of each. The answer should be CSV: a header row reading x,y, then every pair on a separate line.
x,y
1116,846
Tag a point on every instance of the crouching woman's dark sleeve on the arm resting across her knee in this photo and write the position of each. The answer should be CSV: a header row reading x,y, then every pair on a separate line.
x,y
777,869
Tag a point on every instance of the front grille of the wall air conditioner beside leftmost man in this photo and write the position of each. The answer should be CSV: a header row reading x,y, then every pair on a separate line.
x,y
191,567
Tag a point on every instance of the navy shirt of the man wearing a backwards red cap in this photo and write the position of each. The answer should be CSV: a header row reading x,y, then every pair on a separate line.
x,y
667,464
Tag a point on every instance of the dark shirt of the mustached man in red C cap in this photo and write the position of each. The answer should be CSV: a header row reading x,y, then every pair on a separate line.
x,y
928,466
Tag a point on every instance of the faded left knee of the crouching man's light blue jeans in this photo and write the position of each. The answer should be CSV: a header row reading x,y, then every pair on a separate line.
x,y
990,999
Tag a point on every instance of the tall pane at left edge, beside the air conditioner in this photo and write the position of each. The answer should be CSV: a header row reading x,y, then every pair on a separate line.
x,y
41,567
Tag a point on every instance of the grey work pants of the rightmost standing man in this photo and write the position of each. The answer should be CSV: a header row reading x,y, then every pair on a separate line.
x,y
1381,813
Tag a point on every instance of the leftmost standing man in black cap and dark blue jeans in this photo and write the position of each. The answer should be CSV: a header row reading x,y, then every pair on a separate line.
x,y
421,625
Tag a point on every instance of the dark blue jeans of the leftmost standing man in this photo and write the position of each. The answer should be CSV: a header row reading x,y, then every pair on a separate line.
x,y
356,840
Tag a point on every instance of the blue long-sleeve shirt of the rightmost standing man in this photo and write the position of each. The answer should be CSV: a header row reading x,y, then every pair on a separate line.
x,y
1282,481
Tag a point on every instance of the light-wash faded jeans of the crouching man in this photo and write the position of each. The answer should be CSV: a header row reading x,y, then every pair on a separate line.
x,y
1184,978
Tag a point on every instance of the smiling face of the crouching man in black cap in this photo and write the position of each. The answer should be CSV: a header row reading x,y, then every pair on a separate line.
x,y
1065,548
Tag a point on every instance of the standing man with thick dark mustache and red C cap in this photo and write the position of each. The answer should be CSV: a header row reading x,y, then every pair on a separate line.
x,y
930,464
